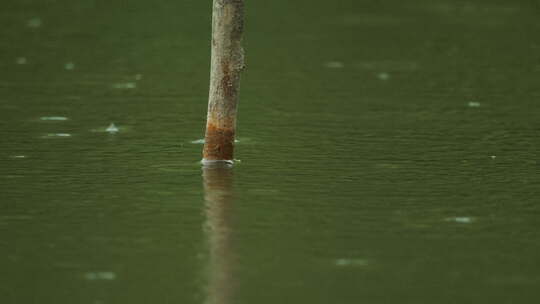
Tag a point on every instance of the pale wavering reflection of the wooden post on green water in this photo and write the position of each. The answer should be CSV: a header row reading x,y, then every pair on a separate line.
x,y
218,201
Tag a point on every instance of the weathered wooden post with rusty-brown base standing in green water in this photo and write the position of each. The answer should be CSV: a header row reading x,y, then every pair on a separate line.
x,y
226,65
